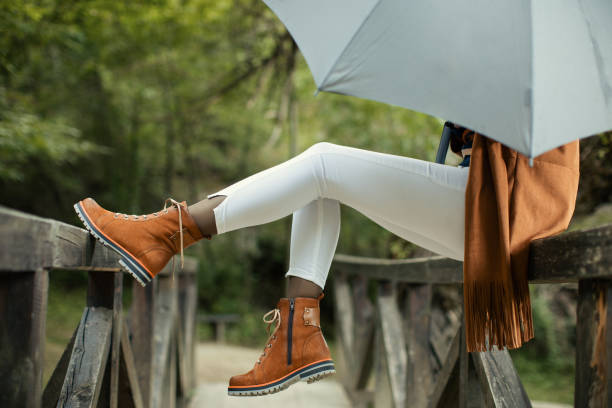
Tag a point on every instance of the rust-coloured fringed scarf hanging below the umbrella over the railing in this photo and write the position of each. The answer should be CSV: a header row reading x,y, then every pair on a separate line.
x,y
508,204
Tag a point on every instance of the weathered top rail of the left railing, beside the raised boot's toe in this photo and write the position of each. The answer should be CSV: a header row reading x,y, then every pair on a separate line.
x,y
29,243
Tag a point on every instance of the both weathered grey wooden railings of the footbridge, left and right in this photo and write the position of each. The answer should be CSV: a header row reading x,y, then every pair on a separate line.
x,y
396,348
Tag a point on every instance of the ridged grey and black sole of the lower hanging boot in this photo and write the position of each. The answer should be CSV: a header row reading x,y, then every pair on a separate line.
x,y
310,373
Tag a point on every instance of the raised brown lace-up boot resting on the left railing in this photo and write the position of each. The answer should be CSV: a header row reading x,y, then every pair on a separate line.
x,y
145,243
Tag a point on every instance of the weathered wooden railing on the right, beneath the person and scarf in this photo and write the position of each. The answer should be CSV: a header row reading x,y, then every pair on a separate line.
x,y
394,338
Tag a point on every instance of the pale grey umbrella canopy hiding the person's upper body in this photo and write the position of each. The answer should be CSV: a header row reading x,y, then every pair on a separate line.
x,y
533,75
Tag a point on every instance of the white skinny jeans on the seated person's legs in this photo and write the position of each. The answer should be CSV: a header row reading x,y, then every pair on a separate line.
x,y
419,201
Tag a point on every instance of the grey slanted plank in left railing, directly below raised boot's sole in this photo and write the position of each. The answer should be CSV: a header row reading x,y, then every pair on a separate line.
x,y
88,360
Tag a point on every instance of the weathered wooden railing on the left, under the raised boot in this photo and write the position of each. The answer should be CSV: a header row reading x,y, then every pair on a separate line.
x,y
143,360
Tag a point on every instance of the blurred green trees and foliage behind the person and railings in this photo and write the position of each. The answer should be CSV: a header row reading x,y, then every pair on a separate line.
x,y
133,102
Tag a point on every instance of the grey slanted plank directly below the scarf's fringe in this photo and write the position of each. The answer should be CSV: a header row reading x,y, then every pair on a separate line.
x,y
499,381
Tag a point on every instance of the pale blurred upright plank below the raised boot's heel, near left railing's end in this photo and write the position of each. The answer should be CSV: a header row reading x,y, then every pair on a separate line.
x,y
164,316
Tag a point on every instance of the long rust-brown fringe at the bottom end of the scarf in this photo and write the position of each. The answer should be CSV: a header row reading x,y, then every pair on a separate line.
x,y
497,314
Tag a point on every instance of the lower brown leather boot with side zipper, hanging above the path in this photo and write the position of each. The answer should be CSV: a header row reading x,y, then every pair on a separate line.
x,y
295,351
